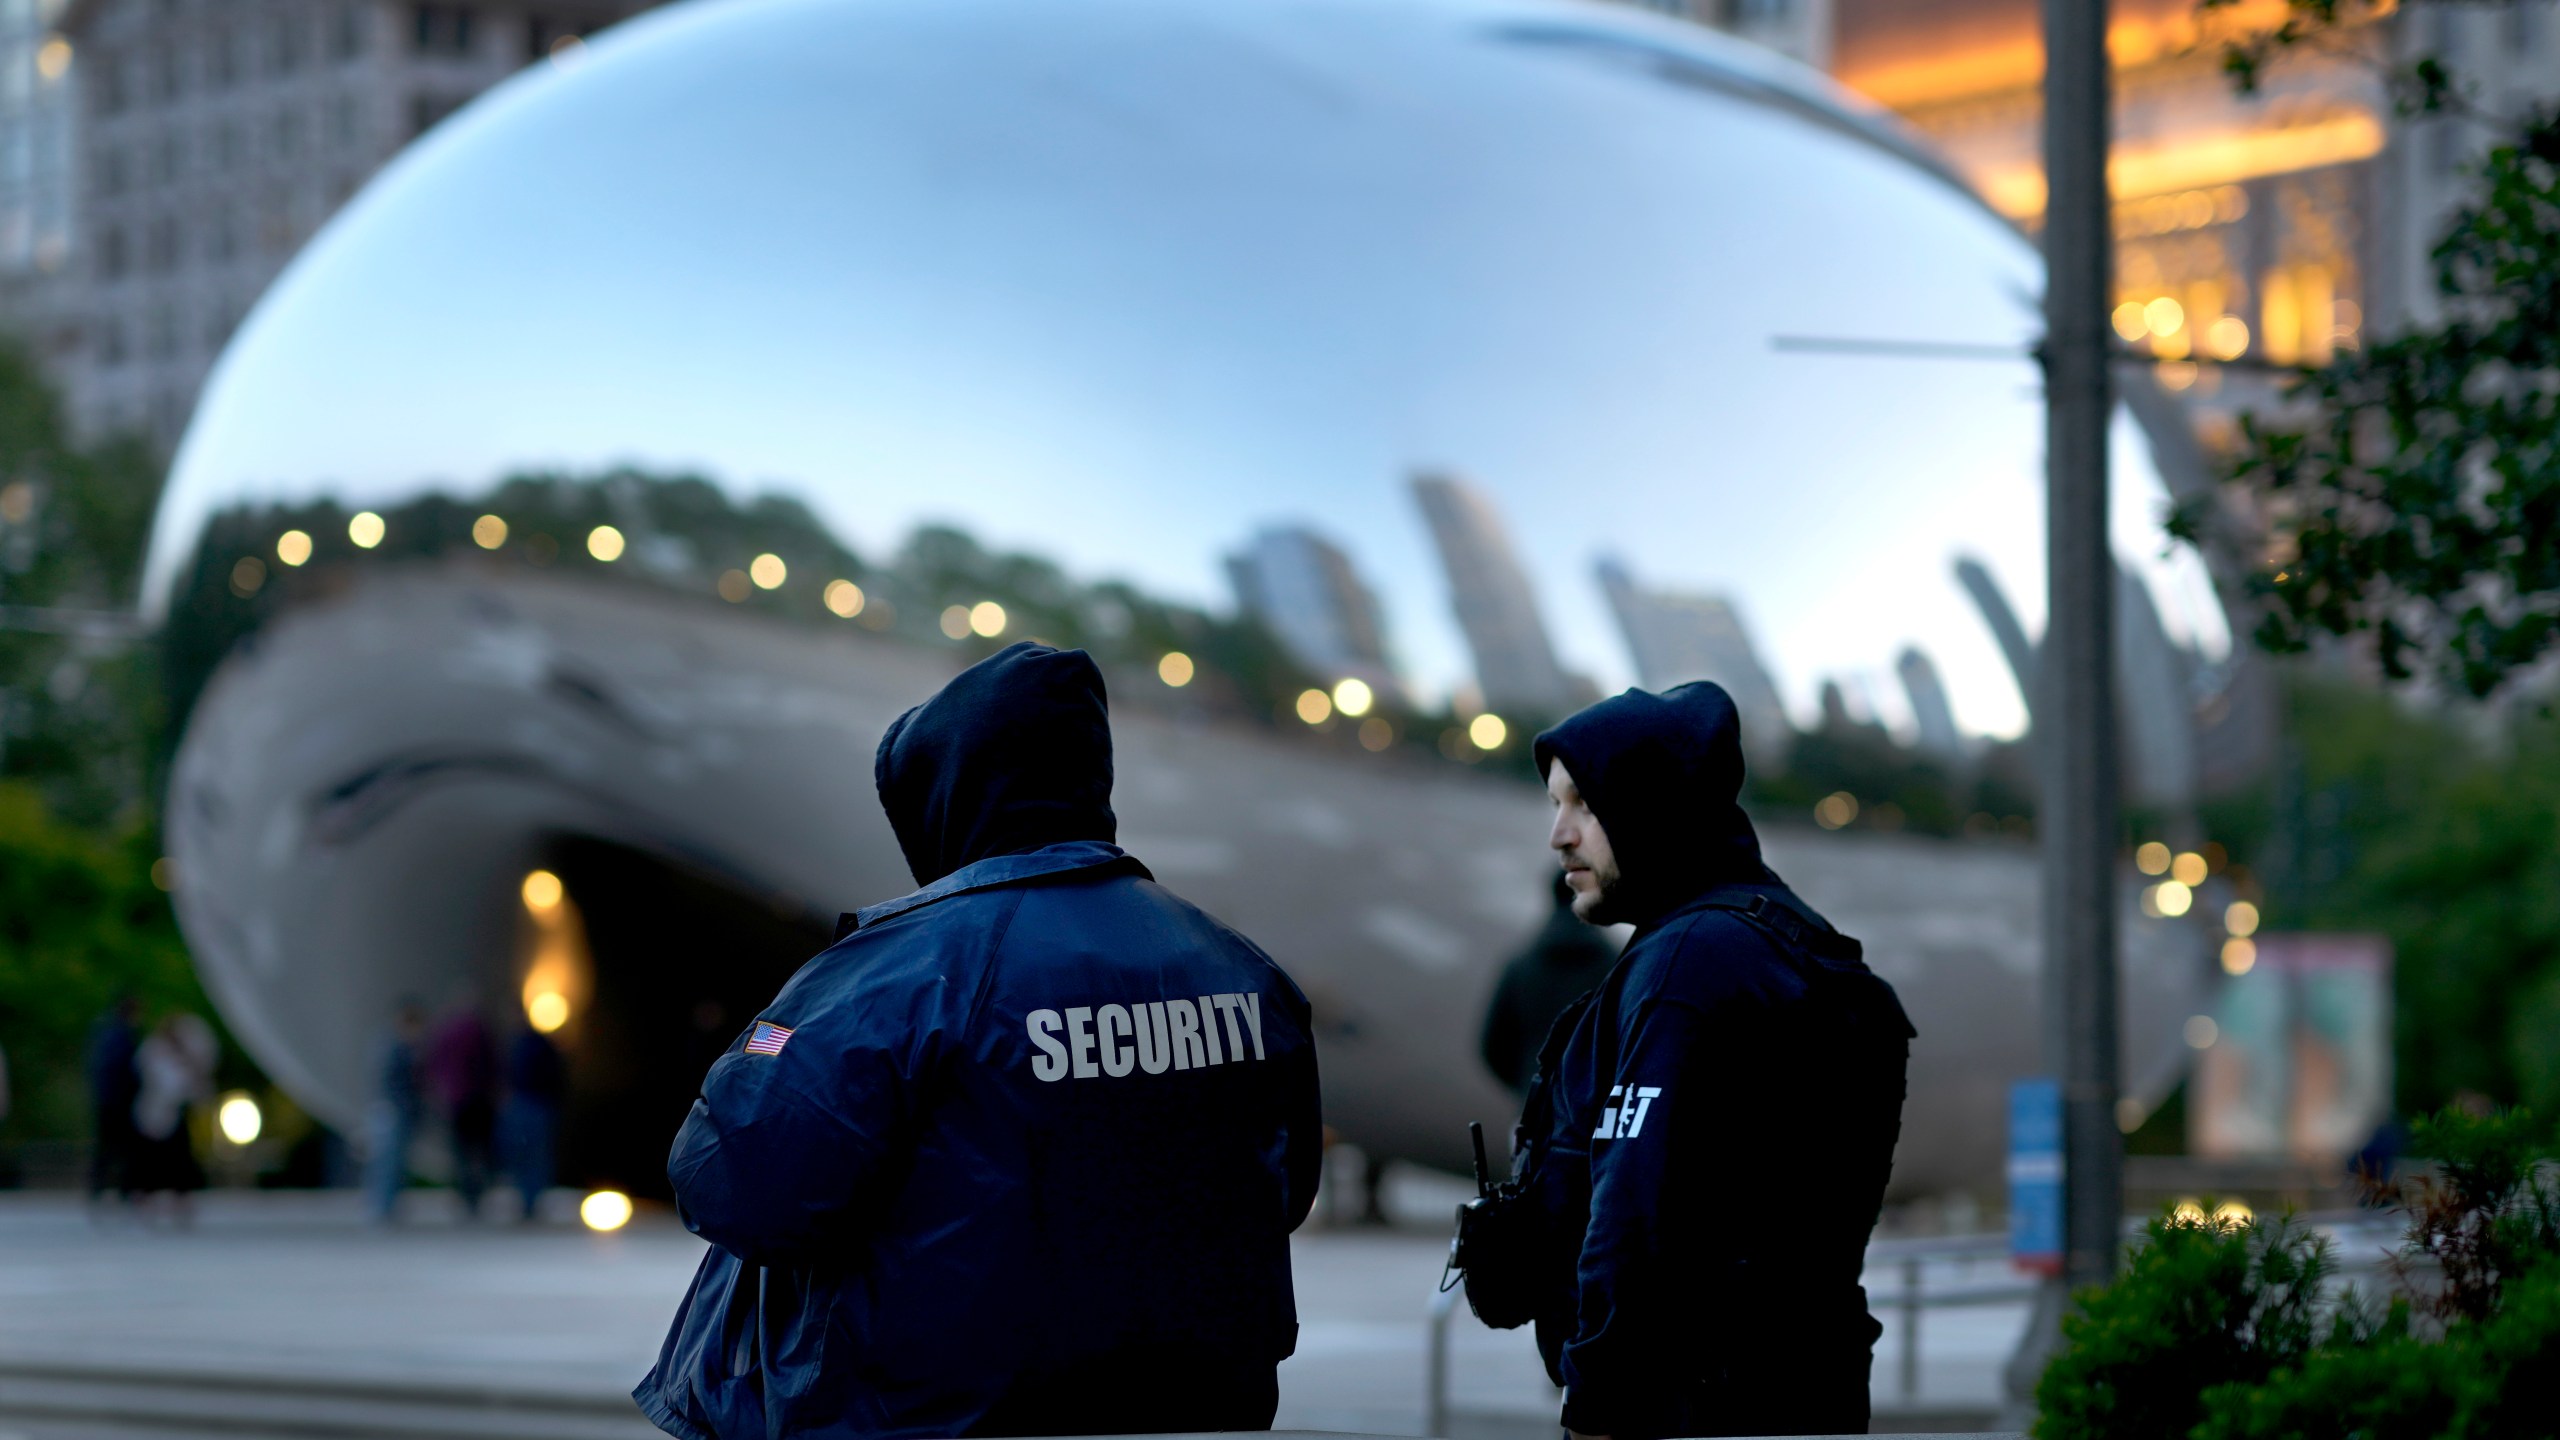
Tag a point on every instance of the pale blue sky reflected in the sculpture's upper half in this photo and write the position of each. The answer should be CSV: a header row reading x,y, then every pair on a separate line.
x,y
1558,281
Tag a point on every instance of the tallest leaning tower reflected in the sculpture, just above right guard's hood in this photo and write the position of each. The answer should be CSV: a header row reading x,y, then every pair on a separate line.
x,y
1489,591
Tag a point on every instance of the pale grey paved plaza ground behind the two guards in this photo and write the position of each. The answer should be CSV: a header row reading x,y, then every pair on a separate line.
x,y
291,1290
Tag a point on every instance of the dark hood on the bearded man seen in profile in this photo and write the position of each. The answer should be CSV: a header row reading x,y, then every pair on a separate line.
x,y
1665,778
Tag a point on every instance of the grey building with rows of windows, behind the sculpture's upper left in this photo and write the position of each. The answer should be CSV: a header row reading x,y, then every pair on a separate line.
x,y
209,142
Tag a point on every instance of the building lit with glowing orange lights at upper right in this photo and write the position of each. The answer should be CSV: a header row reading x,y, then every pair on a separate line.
x,y
2275,227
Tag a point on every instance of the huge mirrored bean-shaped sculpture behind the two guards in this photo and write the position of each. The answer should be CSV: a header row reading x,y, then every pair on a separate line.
x,y
562,532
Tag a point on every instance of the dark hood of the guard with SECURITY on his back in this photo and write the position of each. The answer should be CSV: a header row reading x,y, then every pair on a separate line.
x,y
1010,757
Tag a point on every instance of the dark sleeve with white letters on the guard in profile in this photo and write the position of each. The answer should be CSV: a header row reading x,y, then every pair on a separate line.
x,y
1624,1354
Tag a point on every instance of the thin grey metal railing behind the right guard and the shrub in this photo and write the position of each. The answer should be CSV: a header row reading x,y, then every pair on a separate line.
x,y
2359,1244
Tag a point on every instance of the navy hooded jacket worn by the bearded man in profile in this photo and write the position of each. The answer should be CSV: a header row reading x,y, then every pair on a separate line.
x,y
1716,1124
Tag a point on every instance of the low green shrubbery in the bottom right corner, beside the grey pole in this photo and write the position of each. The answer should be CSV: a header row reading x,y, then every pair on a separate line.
x,y
2223,1334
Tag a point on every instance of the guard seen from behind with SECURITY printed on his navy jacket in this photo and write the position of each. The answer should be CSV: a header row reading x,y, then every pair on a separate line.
x,y
1020,1154
